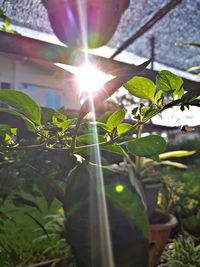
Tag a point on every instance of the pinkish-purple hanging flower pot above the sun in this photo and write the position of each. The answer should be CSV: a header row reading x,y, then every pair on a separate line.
x,y
101,20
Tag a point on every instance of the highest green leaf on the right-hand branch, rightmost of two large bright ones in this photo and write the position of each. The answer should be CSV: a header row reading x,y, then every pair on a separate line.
x,y
167,81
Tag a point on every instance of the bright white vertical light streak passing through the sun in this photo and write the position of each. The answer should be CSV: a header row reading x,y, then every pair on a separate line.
x,y
105,245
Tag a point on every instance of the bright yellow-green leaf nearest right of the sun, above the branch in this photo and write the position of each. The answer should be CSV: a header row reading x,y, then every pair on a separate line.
x,y
141,87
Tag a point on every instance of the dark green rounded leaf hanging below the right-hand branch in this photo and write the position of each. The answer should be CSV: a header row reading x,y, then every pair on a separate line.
x,y
148,146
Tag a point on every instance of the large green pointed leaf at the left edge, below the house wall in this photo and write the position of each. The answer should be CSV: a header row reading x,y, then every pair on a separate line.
x,y
23,103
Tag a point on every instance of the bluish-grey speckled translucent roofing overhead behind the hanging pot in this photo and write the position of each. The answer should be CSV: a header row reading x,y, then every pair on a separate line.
x,y
180,24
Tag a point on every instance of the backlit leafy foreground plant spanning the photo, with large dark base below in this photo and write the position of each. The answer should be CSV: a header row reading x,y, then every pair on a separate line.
x,y
106,219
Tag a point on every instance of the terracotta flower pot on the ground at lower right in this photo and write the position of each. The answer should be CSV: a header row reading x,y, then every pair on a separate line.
x,y
159,234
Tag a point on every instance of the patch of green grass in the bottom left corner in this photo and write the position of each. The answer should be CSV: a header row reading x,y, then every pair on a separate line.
x,y
22,240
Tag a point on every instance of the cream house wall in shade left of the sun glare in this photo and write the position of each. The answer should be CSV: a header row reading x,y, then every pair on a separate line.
x,y
17,71
